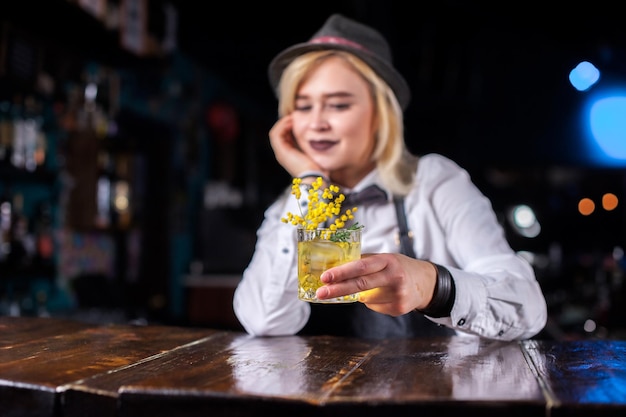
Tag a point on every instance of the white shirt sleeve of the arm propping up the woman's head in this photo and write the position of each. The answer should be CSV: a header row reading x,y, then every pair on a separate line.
x,y
266,300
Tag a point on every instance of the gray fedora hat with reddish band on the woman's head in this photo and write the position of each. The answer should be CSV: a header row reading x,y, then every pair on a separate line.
x,y
342,33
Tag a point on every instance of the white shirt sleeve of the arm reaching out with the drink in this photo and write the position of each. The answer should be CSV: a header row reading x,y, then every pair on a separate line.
x,y
497,293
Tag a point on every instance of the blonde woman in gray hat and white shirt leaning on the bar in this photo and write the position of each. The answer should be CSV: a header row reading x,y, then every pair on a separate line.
x,y
341,108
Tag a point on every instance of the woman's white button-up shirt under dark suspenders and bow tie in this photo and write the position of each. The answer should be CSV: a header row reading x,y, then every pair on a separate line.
x,y
453,224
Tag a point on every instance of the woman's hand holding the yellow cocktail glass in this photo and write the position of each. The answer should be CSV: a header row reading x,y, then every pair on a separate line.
x,y
392,284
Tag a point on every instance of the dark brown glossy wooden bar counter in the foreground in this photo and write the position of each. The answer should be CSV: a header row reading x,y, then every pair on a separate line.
x,y
59,368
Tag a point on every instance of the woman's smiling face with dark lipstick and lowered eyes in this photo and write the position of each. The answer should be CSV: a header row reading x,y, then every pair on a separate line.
x,y
332,121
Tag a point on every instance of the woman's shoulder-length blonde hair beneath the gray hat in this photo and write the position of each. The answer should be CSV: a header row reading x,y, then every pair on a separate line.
x,y
396,165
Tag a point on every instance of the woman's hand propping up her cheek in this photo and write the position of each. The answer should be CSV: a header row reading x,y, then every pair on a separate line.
x,y
286,150
